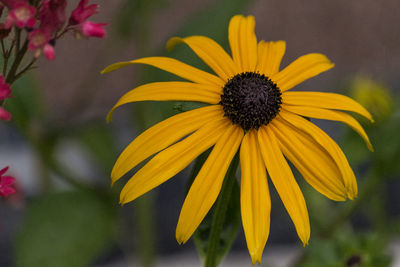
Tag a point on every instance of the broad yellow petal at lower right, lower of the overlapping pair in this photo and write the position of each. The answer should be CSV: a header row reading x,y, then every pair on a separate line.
x,y
311,159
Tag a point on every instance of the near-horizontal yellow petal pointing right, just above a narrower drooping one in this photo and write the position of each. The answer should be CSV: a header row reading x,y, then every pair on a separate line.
x,y
324,100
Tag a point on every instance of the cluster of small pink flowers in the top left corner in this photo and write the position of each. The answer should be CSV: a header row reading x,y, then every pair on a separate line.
x,y
47,24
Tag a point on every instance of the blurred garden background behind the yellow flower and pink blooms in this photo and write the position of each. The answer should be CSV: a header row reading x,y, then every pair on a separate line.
x,y
61,151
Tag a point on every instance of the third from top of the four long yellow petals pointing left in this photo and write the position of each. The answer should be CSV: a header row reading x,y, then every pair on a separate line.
x,y
162,135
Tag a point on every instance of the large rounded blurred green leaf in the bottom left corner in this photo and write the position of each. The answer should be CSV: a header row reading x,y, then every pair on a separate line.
x,y
65,229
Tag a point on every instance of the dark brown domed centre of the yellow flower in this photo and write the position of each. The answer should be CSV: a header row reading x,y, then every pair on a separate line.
x,y
251,99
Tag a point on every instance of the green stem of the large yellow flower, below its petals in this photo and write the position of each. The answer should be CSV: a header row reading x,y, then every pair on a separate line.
x,y
219,214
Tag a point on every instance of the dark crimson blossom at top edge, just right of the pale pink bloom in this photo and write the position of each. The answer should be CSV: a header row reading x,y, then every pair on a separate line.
x,y
52,15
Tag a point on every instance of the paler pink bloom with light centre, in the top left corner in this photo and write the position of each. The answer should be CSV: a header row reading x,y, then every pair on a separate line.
x,y
22,15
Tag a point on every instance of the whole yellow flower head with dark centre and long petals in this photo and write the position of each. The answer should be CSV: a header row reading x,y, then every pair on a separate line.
x,y
251,107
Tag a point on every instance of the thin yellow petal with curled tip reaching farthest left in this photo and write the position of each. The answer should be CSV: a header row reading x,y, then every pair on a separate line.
x,y
173,66
